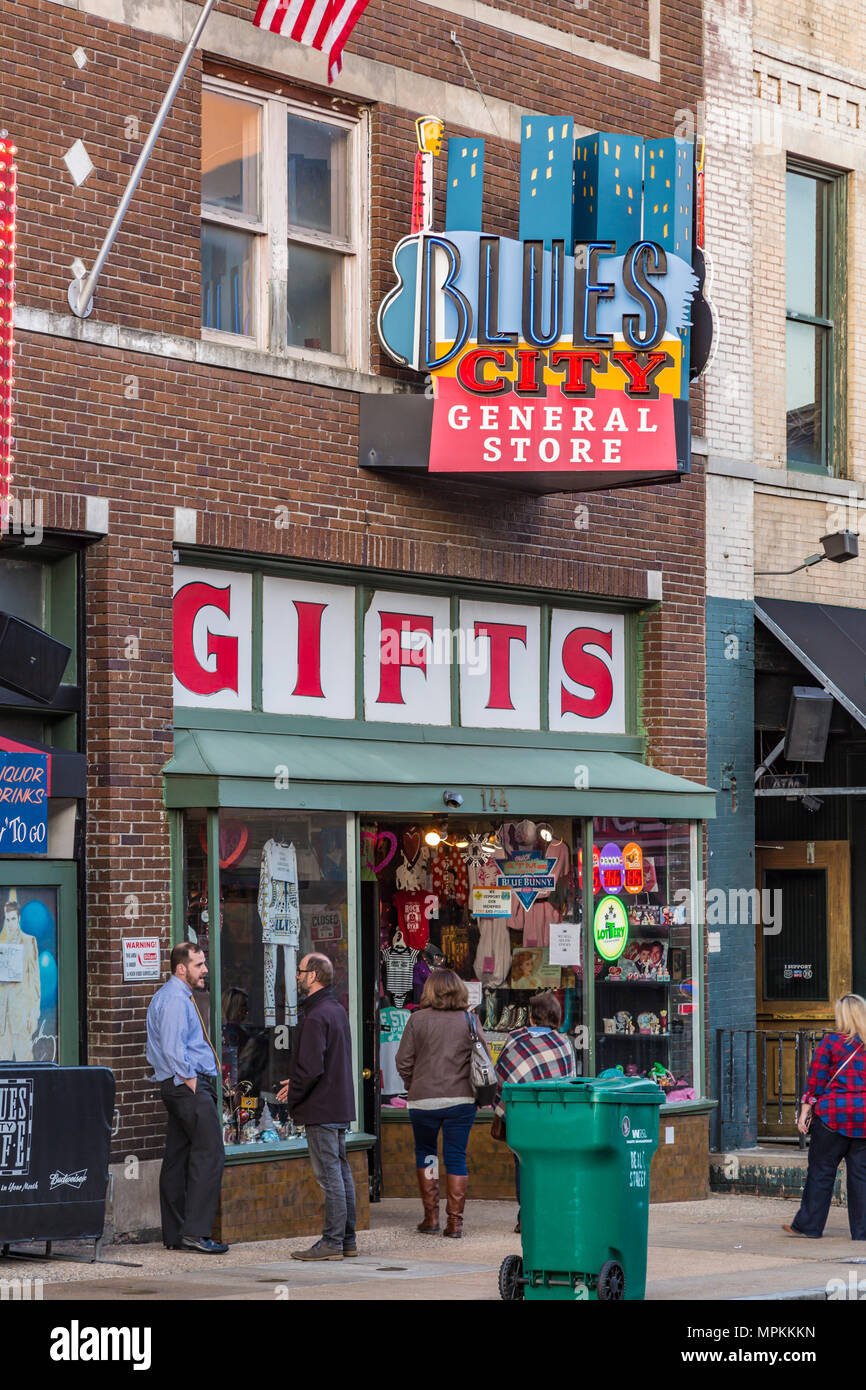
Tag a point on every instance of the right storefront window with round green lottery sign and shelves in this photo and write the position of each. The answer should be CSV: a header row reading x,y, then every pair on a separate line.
x,y
643,929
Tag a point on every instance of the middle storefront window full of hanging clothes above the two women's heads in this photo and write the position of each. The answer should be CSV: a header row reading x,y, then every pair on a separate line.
x,y
483,899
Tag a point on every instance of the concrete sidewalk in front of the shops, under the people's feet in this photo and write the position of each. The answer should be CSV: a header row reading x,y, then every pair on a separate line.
x,y
724,1249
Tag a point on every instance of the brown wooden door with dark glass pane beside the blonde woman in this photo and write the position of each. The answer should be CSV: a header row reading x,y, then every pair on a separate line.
x,y
804,963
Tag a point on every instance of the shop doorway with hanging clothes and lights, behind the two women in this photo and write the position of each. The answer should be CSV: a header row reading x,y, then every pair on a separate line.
x,y
419,911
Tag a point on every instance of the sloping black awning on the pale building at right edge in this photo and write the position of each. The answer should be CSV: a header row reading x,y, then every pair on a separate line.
x,y
829,641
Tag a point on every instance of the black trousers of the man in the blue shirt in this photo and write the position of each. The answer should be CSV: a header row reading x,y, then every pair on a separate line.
x,y
193,1161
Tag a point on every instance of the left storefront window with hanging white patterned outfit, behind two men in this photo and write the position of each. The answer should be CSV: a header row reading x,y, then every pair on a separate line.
x,y
283,893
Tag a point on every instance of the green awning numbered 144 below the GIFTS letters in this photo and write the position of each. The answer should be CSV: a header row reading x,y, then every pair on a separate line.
x,y
376,775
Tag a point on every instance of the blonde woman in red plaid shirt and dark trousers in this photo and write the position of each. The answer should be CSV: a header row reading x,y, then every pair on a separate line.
x,y
835,1114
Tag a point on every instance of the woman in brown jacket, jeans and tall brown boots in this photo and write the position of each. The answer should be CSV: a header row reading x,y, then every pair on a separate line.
x,y
434,1061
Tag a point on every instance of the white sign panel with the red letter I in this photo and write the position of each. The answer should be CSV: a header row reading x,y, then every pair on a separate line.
x,y
309,639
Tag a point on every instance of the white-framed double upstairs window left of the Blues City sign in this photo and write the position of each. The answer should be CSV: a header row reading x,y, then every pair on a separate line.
x,y
281,226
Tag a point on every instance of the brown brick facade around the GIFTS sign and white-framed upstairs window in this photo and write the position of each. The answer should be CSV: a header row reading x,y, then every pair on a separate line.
x,y
138,436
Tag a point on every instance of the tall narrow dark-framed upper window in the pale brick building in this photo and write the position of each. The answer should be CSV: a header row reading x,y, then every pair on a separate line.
x,y
815,398
